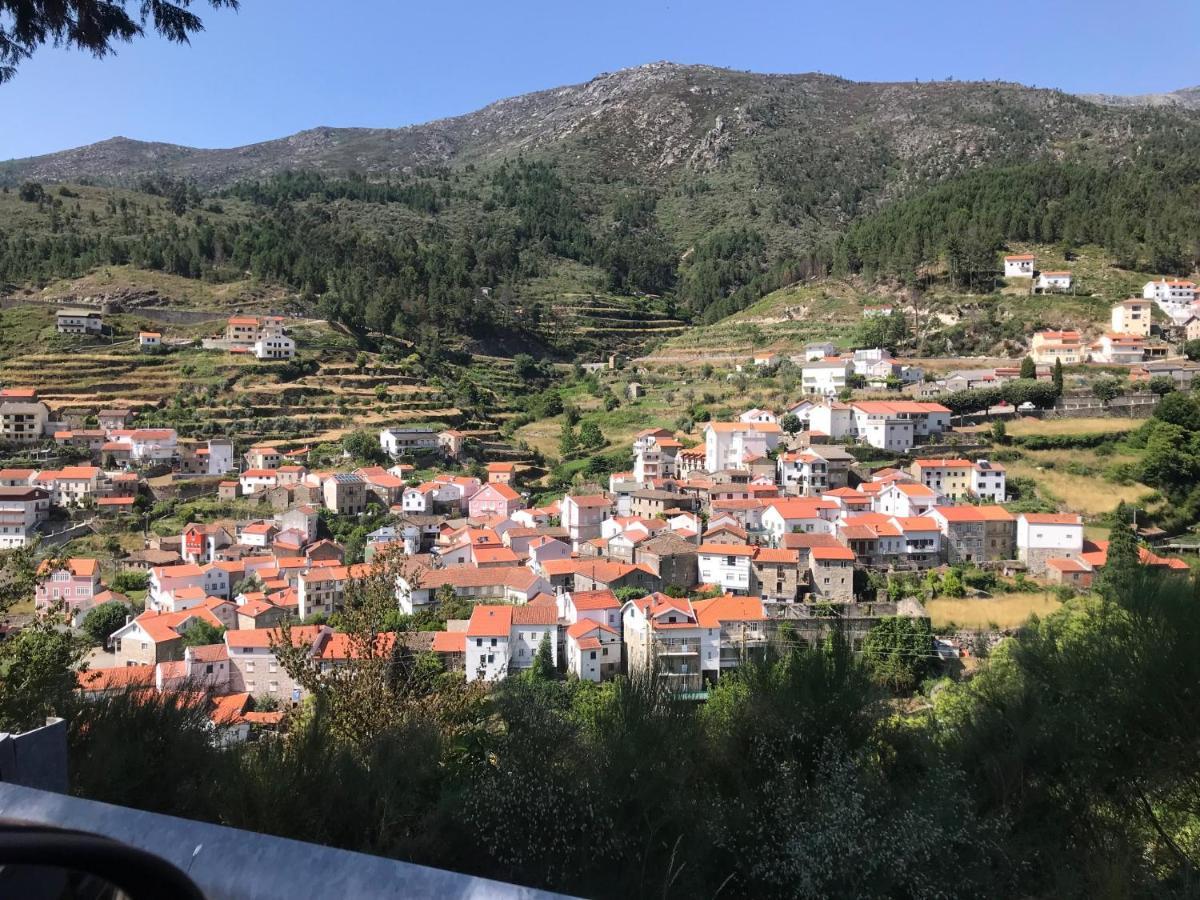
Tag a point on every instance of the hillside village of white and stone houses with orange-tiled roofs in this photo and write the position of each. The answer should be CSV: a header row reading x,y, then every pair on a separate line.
x,y
689,563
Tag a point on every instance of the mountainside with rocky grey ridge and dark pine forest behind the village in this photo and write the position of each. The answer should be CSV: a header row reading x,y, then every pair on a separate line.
x,y
563,221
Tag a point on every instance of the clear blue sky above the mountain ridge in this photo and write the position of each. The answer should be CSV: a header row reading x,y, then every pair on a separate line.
x,y
279,67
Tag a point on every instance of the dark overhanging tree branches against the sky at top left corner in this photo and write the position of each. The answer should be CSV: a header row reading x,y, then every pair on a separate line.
x,y
91,27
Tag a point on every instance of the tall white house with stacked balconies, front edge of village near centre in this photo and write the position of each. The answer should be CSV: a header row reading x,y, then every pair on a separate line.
x,y
662,634
